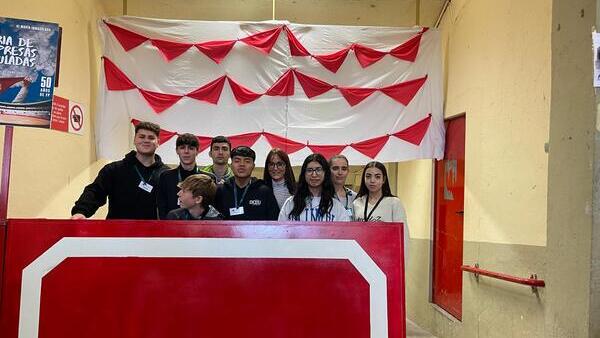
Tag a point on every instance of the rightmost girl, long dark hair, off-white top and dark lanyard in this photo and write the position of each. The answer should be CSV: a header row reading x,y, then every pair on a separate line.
x,y
375,202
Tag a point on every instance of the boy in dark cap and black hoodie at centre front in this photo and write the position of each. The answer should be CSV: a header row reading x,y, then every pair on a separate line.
x,y
244,197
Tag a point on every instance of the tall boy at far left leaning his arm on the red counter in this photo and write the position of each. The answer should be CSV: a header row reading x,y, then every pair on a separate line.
x,y
130,184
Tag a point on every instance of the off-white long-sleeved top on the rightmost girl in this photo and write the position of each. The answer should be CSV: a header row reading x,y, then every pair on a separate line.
x,y
390,209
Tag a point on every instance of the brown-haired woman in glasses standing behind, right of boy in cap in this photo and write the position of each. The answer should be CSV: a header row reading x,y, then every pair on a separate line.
x,y
279,176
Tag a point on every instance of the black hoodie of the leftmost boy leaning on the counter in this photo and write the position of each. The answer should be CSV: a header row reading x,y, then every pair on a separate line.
x,y
119,181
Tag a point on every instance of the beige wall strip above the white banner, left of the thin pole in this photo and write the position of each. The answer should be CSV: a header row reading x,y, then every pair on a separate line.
x,y
226,10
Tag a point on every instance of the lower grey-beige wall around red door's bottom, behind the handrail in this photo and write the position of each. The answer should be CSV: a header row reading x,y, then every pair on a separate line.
x,y
491,308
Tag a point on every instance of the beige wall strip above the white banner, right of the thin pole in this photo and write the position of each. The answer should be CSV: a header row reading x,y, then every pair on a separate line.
x,y
395,13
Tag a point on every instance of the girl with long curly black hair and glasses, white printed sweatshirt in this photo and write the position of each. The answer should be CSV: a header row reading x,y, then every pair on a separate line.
x,y
313,200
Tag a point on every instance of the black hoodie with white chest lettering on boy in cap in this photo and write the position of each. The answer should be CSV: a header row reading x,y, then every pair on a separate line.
x,y
259,203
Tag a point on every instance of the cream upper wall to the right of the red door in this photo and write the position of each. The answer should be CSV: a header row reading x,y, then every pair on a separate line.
x,y
498,72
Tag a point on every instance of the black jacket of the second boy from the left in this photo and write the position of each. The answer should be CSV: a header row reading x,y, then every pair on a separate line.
x,y
166,196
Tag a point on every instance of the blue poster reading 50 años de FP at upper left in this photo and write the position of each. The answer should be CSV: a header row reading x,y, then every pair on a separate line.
x,y
28,52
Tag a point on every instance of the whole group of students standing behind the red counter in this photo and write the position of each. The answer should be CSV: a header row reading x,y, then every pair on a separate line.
x,y
141,187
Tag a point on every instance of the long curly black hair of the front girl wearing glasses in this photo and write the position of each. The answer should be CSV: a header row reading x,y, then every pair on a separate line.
x,y
302,191
